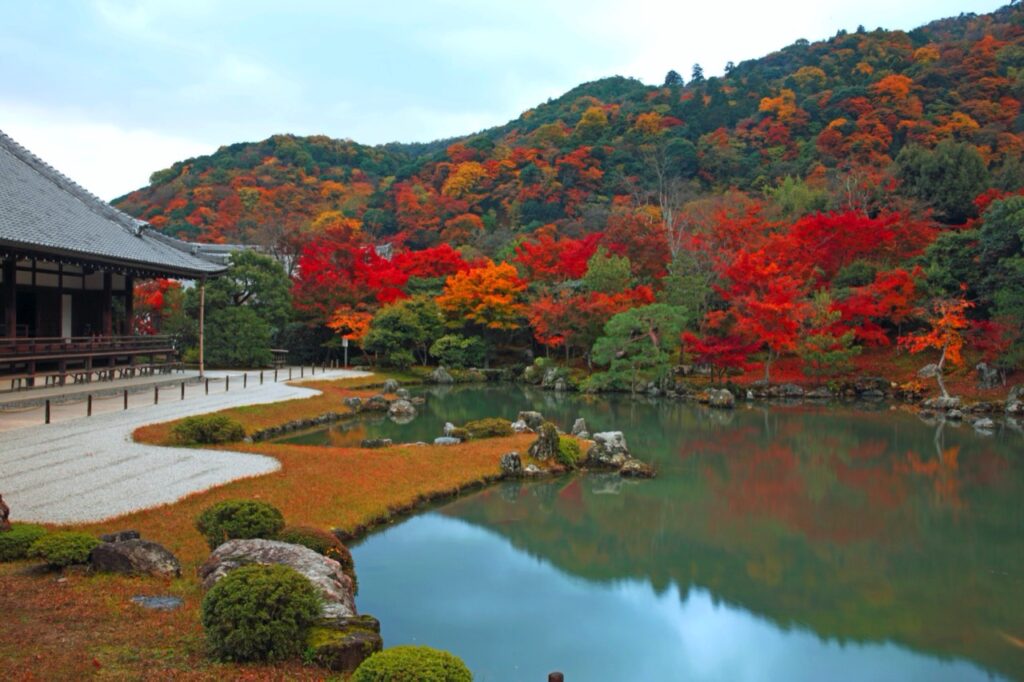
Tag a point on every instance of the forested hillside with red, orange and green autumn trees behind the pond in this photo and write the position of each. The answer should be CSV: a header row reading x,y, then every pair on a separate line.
x,y
827,198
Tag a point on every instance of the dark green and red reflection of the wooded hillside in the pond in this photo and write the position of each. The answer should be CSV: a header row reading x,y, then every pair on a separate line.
x,y
857,527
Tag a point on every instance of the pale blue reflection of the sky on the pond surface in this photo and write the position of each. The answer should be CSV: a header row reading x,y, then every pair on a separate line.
x,y
445,583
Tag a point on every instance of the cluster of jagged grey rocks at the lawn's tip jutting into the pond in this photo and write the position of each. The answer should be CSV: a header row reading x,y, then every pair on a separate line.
x,y
608,452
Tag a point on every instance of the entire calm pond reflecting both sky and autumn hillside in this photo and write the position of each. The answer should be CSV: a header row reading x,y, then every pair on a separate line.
x,y
797,543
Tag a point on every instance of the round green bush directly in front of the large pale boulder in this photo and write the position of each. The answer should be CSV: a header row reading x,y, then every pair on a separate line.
x,y
260,613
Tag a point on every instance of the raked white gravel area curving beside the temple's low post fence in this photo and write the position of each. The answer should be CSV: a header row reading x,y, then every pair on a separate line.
x,y
90,470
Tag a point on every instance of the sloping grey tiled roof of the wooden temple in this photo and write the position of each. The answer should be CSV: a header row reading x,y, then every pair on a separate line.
x,y
45,212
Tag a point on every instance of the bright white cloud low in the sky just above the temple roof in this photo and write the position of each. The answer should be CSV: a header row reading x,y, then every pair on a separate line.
x,y
107,160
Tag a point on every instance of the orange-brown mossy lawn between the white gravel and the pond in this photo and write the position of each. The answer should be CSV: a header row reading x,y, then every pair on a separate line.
x,y
76,626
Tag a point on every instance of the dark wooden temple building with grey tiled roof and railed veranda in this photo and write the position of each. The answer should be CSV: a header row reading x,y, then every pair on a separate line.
x,y
68,266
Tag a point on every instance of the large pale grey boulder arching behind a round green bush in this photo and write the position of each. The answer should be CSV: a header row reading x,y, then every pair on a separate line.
x,y
326,575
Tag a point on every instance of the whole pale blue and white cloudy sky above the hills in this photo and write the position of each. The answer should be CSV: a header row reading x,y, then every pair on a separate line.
x,y
111,91
